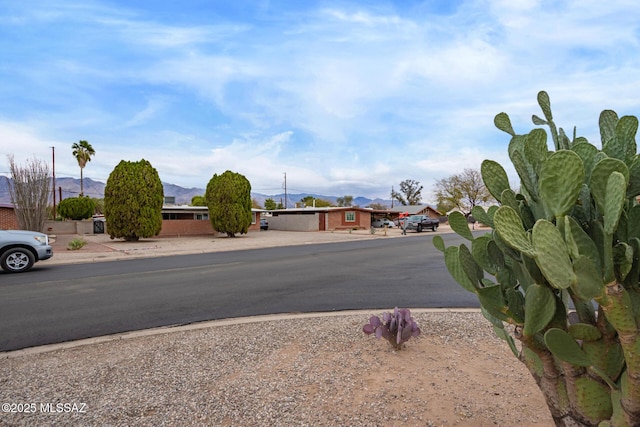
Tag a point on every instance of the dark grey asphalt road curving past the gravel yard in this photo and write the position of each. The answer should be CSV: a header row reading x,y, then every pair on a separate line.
x,y
58,303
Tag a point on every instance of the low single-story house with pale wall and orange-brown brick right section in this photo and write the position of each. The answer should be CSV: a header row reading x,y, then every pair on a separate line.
x,y
320,219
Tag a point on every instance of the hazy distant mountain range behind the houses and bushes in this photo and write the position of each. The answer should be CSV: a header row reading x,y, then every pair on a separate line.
x,y
70,187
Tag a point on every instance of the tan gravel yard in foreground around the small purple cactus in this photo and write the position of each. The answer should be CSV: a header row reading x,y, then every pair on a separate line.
x,y
300,371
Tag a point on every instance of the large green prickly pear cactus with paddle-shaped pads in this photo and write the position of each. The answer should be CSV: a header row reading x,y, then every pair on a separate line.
x,y
558,274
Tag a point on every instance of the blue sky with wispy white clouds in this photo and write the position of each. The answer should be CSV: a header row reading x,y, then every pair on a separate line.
x,y
346,98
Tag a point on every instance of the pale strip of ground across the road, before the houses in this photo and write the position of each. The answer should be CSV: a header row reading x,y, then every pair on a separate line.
x,y
99,247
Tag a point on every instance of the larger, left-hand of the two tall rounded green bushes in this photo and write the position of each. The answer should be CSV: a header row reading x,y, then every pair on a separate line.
x,y
133,200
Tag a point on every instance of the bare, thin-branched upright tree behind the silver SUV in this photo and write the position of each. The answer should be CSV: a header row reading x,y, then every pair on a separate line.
x,y
29,191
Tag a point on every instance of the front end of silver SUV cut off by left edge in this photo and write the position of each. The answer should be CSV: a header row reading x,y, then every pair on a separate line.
x,y
20,249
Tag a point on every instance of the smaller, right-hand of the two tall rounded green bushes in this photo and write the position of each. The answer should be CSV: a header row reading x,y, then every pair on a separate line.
x,y
228,198
